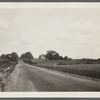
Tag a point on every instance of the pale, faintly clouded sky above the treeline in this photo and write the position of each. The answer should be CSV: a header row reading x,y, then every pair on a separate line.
x,y
74,32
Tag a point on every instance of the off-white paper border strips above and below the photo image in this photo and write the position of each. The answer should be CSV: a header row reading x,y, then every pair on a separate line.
x,y
49,94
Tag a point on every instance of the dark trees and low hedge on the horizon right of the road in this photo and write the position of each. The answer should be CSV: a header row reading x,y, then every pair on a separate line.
x,y
53,55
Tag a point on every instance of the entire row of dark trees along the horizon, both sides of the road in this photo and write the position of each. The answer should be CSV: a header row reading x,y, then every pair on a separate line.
x,y
50,55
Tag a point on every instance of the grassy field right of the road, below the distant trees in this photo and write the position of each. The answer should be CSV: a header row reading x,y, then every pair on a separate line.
x,y
89,70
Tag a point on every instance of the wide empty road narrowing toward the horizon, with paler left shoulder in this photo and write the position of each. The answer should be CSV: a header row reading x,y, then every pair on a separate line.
x,y
30,78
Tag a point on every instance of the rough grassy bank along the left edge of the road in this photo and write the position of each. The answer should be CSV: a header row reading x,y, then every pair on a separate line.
x,y
5,70
